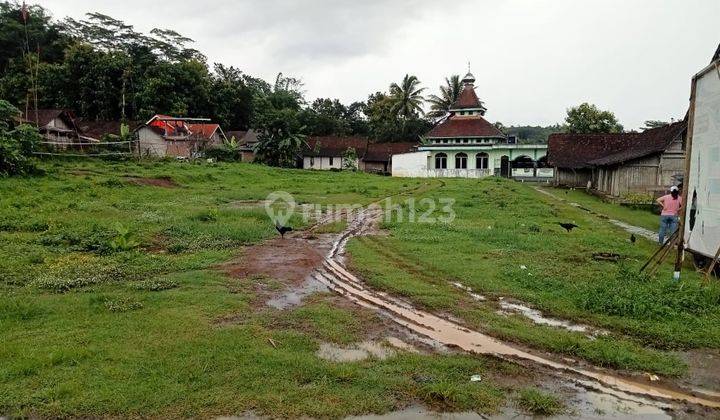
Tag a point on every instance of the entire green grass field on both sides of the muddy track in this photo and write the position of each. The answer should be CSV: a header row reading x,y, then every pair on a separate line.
x,y
113,304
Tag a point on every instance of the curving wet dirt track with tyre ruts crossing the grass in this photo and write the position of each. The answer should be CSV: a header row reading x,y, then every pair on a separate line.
x,y
337,277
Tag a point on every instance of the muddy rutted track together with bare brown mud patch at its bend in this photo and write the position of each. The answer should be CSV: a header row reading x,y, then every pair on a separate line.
x,y
320,259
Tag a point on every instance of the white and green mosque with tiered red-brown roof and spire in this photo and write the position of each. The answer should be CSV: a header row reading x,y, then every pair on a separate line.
x,y
466,145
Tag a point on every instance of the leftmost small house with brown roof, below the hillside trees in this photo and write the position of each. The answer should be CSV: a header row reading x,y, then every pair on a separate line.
x,y
55,125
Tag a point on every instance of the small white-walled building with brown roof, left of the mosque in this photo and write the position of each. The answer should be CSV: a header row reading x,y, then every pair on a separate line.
x,y
328,152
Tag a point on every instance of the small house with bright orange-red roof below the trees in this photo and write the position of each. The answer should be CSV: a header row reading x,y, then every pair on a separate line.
x,y
163,135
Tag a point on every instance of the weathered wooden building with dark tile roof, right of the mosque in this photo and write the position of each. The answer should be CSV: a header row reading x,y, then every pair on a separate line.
x,y
620,163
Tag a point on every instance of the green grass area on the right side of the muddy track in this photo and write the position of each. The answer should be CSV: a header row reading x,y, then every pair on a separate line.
x,y
501,226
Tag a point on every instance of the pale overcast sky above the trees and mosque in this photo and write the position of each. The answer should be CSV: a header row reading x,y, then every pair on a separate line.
x,y
532,58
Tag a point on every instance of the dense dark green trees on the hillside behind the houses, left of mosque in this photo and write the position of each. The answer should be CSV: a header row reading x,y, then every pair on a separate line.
x,y
103,69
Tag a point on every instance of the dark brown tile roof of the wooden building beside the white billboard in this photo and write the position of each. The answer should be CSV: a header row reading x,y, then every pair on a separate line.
x,y
576,151
